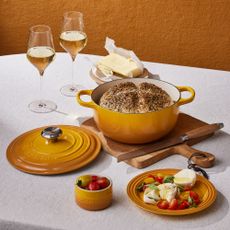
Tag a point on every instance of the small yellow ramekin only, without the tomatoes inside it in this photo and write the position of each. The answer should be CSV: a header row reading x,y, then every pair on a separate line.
x,y
94,200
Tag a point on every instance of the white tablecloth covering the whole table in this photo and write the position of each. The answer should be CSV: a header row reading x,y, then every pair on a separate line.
x,y
47,202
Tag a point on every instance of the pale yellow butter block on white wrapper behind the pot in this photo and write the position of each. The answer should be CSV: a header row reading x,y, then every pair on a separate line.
x,y
119,64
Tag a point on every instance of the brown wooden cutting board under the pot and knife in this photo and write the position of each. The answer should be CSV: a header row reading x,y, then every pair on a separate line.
x,y
184,124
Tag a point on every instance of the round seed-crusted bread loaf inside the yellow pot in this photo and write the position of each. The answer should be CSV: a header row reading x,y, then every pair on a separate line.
x,y
130,98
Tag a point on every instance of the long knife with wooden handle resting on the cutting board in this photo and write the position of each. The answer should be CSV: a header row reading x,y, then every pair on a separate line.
x,y
195,133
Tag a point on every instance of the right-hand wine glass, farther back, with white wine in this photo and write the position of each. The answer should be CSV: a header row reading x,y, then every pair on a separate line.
x,y
72,39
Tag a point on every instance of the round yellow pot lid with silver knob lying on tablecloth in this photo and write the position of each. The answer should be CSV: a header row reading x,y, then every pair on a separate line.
x,y
53,150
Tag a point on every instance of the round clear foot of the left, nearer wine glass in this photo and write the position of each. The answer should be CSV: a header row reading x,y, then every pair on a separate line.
x,y
42,106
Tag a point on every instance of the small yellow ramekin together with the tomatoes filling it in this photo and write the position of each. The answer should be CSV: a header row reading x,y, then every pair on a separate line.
x,y
93,192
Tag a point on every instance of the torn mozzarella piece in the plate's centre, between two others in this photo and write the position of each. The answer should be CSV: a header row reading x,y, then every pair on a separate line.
x,y
167,191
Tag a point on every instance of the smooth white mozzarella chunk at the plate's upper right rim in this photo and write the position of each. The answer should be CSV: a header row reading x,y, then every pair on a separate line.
x,y
185,177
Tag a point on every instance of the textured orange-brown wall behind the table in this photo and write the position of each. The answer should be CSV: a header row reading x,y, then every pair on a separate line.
x,y
184,32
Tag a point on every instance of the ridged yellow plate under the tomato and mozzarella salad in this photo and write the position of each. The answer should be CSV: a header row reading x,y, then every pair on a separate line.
x,y
203,187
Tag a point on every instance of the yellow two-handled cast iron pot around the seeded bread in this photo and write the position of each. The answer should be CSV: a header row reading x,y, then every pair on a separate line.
x,y
136,128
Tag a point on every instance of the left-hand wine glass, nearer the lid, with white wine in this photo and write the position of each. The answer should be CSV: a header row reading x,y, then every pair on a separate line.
x,y
41,53
